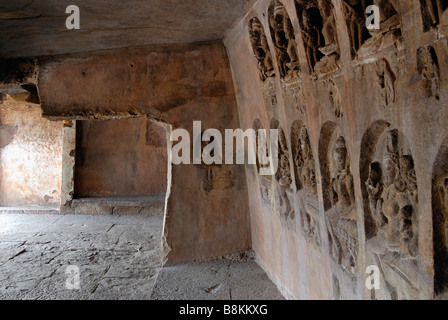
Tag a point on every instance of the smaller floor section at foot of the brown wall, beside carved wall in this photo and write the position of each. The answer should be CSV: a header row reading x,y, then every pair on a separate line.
x,y
215,280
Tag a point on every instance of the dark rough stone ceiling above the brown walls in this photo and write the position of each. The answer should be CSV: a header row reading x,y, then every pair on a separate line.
x,y
37,27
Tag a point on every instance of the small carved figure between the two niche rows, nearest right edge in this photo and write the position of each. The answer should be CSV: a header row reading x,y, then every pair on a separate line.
x,y
428,68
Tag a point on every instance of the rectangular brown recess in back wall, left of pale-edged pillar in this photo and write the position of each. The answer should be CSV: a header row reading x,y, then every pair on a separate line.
x,y
120,159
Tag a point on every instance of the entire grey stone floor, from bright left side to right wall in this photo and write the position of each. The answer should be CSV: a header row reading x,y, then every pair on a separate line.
x,y
118,257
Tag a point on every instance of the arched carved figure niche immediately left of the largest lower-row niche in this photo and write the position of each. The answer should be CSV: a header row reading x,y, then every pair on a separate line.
x,y
339,200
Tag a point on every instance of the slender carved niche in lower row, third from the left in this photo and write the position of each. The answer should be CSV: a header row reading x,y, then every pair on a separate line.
x,y
306,184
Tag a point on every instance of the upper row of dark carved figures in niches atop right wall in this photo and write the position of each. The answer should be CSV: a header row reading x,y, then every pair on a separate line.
x,y
319,33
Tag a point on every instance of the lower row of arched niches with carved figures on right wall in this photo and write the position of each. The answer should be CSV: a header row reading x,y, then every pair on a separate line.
x,y
389,198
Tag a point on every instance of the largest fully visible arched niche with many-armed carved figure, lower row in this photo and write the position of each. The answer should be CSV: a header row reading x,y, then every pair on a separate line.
x,y
392,197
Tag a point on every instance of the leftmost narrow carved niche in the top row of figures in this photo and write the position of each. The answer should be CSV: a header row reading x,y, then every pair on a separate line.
x,y
261,49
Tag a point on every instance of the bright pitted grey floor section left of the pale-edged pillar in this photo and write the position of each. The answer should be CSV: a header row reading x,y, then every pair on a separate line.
x,y
118,257
